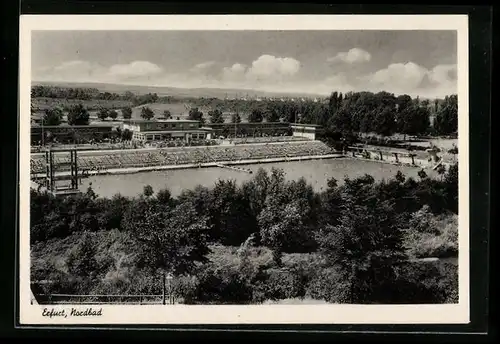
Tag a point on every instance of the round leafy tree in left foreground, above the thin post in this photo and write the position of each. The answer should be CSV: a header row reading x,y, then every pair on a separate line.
x,y
172,240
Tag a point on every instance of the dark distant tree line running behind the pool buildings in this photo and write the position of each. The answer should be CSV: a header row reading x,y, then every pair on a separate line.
x,y
381,113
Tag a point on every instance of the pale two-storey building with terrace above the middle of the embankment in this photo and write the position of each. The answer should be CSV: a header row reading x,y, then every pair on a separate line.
x,y
167,129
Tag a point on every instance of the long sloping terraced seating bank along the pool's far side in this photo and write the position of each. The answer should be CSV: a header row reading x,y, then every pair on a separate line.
x,y
180,156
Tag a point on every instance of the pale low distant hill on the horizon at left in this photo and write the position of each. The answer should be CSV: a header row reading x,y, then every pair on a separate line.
x,y
174,91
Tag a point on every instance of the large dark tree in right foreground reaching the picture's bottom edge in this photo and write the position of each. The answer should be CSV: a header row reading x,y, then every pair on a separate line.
x,y
365,248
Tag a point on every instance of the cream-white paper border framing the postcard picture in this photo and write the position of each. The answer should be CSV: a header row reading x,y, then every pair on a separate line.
x,y
261,314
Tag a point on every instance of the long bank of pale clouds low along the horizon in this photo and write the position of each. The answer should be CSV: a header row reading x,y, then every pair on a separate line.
x,y
267,73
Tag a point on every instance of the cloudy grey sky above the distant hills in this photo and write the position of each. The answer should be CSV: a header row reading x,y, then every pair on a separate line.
x,y
418,63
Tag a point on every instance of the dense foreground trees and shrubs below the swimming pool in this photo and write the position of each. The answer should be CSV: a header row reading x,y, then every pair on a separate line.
x,y
268,239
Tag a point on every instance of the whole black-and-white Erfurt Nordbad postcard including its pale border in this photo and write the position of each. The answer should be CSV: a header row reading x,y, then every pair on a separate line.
x,y
182,165
